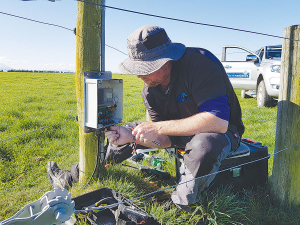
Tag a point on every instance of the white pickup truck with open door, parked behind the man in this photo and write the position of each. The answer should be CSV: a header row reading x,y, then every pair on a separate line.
x,y
257,71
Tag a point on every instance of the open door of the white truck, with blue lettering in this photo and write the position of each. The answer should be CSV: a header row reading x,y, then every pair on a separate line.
x,y
241,66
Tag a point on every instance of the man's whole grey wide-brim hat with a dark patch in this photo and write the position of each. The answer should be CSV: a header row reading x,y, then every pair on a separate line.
x,y
149,48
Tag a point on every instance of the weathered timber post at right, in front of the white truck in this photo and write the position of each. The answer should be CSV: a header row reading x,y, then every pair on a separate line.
x,y
286,166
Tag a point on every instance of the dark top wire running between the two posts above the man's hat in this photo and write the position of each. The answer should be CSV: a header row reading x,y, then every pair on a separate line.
x,y
186,21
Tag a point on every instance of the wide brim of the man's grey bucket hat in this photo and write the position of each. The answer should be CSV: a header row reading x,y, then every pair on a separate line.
x,y
139,67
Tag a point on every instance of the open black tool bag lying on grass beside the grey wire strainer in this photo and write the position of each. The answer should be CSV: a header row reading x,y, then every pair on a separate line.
x,y
122,214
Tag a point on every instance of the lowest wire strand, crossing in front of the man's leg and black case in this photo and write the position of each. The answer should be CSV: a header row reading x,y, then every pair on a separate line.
x,y
155,192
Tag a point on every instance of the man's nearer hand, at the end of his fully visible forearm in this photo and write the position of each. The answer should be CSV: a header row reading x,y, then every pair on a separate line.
x,y
146,132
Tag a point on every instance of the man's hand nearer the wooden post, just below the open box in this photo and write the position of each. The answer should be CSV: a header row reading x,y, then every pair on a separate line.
x,y
119,135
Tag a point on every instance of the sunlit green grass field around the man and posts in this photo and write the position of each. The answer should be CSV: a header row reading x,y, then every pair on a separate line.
x,y
37,125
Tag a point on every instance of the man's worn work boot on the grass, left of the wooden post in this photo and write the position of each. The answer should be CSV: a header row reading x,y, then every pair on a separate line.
x,y
57,177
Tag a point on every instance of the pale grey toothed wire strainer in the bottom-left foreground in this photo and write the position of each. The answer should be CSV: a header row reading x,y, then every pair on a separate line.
x,y
54,207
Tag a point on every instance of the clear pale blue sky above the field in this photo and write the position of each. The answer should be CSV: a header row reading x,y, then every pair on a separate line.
x,y
34,46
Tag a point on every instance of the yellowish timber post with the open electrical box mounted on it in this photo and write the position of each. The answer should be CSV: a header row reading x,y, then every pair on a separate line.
x,y
88,30
